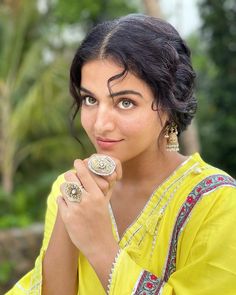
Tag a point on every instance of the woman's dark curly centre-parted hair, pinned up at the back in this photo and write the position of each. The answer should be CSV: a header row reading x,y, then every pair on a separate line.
x,y
151,49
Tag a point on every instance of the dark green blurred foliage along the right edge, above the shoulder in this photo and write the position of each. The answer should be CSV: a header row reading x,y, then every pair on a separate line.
x,y
218,104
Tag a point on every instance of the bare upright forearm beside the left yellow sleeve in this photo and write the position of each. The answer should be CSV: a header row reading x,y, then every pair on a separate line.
x,y
60,264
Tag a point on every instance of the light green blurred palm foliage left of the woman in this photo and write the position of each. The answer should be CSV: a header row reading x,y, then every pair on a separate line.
x,y
37,43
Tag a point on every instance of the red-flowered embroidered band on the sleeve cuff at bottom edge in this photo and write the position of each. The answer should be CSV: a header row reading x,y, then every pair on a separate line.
x,y
148,284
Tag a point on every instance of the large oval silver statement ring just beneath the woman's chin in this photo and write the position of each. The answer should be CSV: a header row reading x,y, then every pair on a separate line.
x,y
101,165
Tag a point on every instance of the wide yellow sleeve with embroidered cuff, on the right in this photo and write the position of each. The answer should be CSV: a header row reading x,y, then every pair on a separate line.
x,y
210,267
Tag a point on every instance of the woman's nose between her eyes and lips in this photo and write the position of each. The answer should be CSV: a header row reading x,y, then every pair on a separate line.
x,y
104,121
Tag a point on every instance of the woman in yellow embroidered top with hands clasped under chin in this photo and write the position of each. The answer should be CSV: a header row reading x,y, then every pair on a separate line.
x,y
137,217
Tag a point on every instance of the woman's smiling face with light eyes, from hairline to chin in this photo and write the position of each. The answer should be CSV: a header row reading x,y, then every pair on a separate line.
x,y
124,126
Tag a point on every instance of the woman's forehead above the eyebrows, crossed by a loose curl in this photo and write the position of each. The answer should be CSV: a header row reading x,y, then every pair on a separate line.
x,y
96,73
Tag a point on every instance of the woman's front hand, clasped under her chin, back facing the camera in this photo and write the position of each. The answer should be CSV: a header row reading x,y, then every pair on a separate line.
x,y
88,223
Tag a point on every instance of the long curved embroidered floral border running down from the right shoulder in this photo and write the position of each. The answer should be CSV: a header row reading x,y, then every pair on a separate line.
x,y
208,184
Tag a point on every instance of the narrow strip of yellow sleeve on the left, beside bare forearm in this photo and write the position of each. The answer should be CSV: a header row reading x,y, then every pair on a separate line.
x,y
31,283
